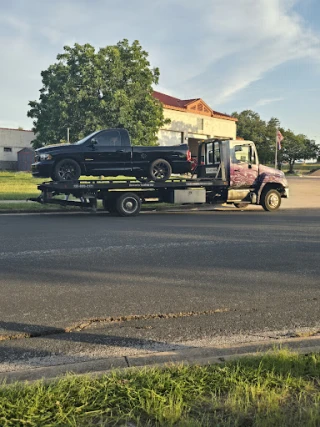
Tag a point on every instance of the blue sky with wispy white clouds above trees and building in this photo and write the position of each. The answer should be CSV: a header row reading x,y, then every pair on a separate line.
x,y
262,55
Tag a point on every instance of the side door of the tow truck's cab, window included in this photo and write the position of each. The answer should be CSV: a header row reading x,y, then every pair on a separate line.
x,y
243,165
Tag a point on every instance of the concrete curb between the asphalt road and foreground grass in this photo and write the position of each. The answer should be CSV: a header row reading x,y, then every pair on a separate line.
x,y
192,356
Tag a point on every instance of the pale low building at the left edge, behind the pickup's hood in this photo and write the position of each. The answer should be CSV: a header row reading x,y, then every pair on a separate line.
x,y
11,142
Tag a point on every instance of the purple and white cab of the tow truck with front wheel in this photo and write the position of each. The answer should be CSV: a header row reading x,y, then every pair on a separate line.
x,y
236,163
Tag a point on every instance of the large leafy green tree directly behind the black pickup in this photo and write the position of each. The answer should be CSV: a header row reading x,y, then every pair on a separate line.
x,y
70,87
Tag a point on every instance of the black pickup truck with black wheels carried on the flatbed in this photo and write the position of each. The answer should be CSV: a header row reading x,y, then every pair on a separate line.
x,y
109,153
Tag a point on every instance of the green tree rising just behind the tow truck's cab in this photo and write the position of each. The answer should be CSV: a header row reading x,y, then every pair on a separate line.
x,y
251,127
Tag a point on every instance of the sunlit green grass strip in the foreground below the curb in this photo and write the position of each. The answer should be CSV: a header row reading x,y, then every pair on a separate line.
x,y
278,389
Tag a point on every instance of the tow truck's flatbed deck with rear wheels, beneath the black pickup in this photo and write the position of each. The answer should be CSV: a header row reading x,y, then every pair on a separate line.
x,y
121,197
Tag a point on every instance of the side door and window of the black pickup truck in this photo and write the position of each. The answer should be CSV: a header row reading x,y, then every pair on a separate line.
x,y
106,154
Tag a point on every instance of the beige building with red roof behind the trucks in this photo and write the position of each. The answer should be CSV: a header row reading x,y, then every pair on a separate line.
x,y
193,120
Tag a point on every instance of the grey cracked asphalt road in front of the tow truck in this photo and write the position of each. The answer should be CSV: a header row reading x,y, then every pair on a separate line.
x,y
218,273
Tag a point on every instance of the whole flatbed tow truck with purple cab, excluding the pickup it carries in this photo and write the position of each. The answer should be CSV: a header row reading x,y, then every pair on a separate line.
x,y
227,171
